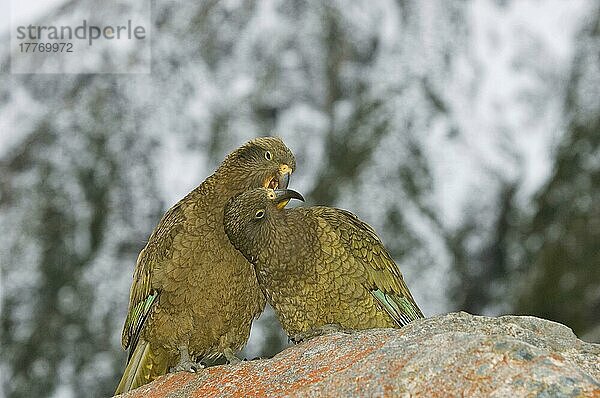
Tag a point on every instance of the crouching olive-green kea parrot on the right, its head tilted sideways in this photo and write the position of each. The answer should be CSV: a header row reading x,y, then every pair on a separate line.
x,y
320,268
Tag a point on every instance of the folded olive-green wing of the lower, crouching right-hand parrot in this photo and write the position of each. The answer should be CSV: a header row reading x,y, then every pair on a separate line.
x,y
384,280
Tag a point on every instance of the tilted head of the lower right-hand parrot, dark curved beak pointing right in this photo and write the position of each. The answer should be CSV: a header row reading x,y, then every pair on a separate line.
x,y
249,216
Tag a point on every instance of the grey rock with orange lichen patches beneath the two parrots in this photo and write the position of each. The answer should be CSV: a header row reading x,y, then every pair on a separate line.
x,y
451,355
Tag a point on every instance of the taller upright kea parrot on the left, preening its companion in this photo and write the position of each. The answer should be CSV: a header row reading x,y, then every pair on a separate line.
x,y
193,295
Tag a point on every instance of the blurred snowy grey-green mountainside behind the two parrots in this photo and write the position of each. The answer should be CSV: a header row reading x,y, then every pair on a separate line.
x,y
466,133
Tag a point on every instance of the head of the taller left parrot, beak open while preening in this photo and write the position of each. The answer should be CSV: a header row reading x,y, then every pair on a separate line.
x,y
262,162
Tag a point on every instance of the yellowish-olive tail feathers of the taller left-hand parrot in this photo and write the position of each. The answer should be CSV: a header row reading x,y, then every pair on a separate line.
x,y
143,366
